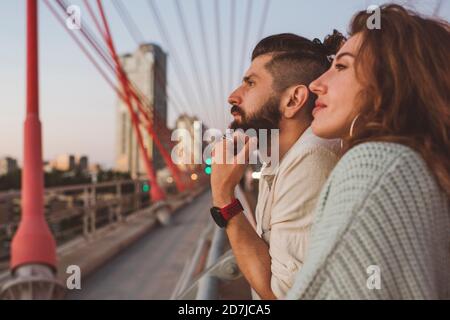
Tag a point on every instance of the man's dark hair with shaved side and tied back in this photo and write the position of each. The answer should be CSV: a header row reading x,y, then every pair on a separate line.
x,y
297,60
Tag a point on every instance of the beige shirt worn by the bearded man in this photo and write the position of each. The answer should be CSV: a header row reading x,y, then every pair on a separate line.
x,y
287,197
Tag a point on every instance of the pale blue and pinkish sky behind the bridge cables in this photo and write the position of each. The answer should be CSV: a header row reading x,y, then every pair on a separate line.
x,y
77,107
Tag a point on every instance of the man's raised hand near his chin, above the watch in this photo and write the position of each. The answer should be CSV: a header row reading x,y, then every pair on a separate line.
x,y
228,168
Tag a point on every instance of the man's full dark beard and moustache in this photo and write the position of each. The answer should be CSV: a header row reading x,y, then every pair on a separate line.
x,y
267,117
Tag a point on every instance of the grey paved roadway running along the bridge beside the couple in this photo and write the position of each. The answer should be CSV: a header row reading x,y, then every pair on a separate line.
x,y
151,267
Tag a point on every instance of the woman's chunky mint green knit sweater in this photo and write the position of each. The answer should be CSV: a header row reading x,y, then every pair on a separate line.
x,y
382,207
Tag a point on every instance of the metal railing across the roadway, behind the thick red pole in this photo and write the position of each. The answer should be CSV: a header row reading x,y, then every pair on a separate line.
x,y
74,211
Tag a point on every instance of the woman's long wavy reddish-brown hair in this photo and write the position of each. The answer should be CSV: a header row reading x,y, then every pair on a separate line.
x,y
405,71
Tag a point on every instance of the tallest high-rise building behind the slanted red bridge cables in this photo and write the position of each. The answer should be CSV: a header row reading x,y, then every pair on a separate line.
x,y
146,67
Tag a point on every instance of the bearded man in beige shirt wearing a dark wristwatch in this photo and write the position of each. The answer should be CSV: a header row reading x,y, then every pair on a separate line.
x,y
274,95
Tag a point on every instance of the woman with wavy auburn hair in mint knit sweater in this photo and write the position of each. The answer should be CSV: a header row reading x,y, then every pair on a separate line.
x,y
382,228
